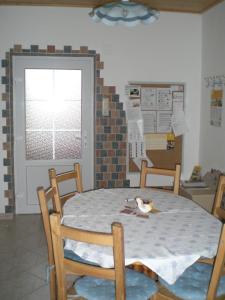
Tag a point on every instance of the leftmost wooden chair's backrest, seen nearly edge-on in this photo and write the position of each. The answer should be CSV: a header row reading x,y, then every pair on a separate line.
x,y
46,196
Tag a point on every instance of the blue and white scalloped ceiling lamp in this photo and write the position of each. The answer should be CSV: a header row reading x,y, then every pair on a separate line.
x,y
124,12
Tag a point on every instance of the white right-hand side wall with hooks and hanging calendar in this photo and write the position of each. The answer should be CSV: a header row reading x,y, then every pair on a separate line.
x,y
212,149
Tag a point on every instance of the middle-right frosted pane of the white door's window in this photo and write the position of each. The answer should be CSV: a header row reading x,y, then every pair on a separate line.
x,y
69,116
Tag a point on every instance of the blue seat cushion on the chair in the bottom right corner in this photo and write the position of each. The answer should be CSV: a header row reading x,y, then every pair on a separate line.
x,y
193,284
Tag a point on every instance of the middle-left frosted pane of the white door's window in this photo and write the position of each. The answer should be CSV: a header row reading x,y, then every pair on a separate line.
x,y
38,116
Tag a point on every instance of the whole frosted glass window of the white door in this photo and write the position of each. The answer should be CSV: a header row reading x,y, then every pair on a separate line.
x,y
53,114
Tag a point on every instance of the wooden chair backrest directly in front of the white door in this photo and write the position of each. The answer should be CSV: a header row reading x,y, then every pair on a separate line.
x,y
56,179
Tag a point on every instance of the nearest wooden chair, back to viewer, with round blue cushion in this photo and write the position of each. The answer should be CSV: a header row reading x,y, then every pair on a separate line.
x,y
99,282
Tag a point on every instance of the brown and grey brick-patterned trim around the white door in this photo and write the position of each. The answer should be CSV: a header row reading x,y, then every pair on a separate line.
x,y
110,132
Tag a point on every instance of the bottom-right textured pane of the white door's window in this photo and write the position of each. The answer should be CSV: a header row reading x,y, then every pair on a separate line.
x,y
67,145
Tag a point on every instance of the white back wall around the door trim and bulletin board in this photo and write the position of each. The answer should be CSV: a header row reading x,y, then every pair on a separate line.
x,y
167,51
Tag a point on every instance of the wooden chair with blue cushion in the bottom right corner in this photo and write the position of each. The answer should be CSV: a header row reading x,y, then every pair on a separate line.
x,y
200,281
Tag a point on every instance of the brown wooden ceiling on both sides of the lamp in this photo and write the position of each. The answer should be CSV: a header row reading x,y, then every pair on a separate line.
x,y
190,6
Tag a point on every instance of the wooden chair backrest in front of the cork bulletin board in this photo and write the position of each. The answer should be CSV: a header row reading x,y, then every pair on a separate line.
x,y
145,170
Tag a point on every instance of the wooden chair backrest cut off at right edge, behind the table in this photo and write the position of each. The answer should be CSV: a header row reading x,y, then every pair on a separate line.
x,y
217,210
